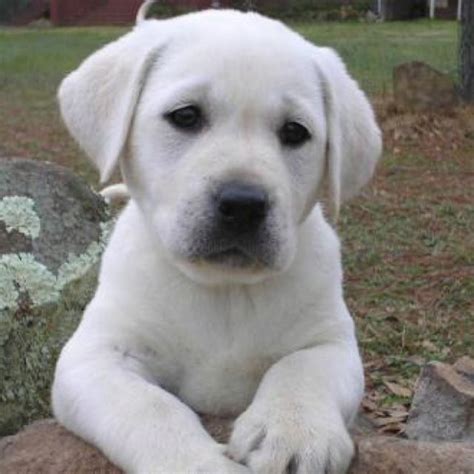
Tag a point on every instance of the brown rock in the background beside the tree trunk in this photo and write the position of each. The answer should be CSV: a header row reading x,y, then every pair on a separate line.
x,y
418,87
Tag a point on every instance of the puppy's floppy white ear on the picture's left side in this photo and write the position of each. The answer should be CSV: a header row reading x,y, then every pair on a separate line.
x,y
98,99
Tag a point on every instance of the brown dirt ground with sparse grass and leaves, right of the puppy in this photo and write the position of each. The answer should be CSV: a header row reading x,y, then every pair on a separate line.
x,y
409,255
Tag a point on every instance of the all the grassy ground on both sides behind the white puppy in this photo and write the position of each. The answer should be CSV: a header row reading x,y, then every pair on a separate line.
x,y
408,240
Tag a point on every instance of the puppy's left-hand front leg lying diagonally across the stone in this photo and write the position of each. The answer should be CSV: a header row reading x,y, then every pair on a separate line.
x,y
111,401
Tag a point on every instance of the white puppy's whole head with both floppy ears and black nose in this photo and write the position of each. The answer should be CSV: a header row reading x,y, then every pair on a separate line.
x,y
227,128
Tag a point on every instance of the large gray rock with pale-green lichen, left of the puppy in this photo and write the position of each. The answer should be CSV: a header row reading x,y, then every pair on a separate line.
x,y
52,232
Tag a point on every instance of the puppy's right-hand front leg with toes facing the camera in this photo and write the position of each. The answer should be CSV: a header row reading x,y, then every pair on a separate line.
x,y
297,422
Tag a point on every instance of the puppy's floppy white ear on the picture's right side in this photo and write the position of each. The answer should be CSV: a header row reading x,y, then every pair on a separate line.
x,y
354,141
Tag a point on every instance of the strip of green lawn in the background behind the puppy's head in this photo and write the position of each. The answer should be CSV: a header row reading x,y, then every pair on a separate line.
x,y
42,57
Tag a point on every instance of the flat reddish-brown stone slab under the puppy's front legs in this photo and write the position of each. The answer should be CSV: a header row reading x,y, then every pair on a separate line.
x,y
46,448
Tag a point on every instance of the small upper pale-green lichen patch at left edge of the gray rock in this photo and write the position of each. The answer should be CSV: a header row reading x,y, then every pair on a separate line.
x,y
18,213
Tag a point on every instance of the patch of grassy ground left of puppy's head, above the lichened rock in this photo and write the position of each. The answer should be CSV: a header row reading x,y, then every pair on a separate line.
x,y
32,64
